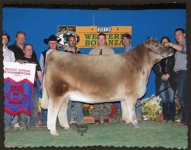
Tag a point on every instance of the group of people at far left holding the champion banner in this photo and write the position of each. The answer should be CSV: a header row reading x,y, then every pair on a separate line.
x,y
22,53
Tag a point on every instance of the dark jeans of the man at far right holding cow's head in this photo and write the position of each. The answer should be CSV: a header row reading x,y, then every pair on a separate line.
x,y
181,77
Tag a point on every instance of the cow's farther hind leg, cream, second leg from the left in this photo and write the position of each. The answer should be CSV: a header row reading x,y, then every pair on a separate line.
x,y
62,115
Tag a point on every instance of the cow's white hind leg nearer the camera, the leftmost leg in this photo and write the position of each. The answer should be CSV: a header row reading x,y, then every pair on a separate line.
x,y
53,109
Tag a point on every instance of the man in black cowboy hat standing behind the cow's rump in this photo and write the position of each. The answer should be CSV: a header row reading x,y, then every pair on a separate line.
x,y
52,42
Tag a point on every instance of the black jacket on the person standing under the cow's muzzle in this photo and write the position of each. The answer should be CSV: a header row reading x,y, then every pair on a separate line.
x,y
163,67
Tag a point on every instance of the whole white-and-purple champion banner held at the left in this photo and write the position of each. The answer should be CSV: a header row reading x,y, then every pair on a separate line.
x,y
18,87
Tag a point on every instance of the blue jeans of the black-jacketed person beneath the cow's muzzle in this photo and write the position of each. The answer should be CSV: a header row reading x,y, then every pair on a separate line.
x,y
168,100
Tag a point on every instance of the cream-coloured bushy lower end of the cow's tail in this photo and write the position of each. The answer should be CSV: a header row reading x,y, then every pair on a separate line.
x,y
44,102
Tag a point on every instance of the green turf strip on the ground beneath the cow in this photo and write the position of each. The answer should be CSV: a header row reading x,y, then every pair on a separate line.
x,y
150,134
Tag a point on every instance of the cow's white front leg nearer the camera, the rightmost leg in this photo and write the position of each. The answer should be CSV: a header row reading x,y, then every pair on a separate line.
x,y
130,103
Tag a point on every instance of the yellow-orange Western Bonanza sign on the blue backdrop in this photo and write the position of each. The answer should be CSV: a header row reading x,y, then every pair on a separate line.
x,y
86,36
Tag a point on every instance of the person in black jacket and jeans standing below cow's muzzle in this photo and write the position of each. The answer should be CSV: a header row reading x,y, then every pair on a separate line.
x,y
165,85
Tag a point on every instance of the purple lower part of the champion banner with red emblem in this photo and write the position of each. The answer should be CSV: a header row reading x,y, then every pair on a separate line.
x,y
18,96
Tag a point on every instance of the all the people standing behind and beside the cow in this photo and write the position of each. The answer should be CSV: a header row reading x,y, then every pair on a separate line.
x,y
166,71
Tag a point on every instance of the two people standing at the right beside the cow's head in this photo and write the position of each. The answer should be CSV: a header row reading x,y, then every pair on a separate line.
x,y
171,76
